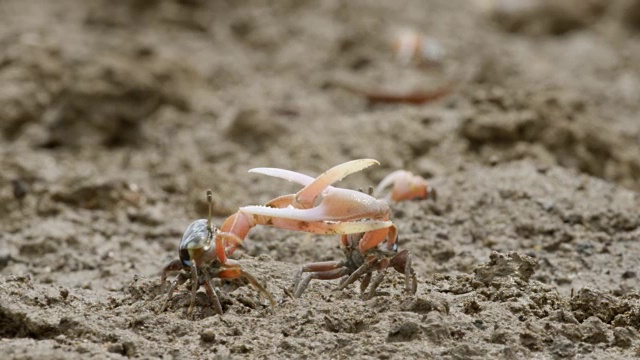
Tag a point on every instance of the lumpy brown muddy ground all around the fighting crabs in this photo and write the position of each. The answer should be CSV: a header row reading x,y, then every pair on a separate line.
x,y
116,116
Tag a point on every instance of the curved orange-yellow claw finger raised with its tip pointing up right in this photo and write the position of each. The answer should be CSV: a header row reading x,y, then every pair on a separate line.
x,y
306,197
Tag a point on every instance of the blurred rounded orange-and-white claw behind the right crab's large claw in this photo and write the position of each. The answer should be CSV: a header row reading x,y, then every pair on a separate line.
x,y
405,186
